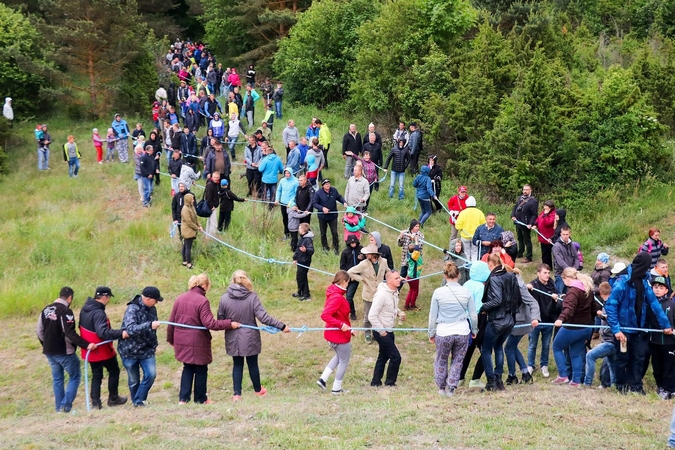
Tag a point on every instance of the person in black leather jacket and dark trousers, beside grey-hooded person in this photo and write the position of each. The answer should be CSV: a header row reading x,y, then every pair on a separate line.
x,y
501,301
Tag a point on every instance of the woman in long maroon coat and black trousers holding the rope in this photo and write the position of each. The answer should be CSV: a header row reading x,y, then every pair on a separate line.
x,y
193,346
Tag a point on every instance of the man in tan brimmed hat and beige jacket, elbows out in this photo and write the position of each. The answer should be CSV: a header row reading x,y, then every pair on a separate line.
x,y
370,272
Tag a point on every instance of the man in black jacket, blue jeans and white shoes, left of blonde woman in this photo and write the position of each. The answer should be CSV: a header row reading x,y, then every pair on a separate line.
x,y
546,296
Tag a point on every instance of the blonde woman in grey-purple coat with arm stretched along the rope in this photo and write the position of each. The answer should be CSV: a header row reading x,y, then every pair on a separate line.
x,y
240,303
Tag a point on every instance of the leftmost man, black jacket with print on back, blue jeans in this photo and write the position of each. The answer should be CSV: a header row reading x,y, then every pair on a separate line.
x,y
56,332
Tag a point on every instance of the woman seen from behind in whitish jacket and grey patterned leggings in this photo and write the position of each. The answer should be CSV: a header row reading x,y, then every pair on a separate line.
x,y
452,318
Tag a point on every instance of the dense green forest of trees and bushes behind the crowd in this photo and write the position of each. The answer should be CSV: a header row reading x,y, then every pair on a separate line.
x,y
577,95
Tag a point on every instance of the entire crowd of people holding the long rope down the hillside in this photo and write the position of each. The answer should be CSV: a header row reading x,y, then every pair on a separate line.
x,y
483,303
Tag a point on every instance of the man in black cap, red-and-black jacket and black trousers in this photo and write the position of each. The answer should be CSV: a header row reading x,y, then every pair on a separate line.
x,y
95,327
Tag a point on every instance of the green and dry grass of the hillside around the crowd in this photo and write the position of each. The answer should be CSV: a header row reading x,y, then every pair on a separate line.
x,y
92,230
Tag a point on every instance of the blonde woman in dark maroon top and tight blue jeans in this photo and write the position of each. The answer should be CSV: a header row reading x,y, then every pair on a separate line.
x,y
578,309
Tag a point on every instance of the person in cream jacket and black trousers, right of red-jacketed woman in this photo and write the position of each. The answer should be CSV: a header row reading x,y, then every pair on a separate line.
x,y
383,315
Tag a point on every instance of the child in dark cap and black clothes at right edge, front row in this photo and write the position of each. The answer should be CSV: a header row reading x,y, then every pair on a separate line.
x,y
662,346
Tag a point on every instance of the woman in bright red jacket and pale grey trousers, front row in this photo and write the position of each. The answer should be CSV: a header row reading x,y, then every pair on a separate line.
x,y
336,315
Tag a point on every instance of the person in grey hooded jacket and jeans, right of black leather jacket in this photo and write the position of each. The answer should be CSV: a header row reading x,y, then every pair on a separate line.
x,y
528,314
